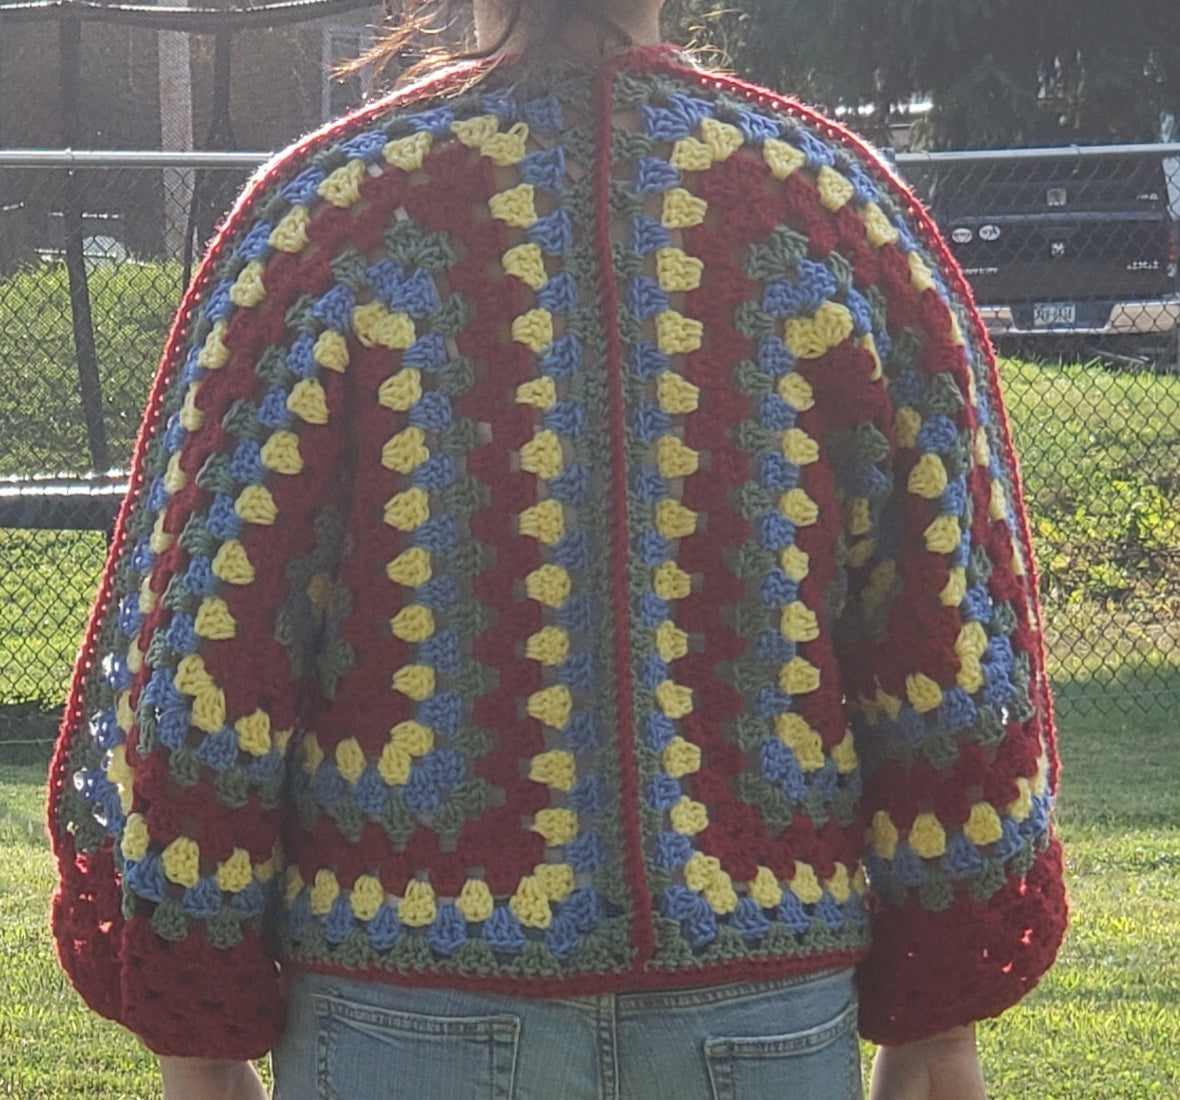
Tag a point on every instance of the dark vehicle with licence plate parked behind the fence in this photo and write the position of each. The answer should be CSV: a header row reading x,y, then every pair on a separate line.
x,y
1078,241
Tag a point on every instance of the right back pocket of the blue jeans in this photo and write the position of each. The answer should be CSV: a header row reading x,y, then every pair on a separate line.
x,y
821,1063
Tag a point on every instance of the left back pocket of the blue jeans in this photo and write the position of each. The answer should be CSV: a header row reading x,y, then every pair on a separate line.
x,y
370,1053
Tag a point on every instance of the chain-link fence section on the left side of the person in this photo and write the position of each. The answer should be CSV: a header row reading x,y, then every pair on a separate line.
x,y
93,267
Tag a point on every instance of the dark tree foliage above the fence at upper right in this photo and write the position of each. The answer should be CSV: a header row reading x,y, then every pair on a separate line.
x,y
997,73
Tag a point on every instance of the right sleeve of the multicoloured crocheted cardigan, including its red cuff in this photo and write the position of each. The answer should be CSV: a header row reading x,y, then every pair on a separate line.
x,y
946,682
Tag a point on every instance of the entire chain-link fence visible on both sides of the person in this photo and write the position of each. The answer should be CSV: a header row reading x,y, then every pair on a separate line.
x,y
1073,254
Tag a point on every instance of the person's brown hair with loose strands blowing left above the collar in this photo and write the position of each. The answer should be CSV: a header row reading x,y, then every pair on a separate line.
x,y
421,22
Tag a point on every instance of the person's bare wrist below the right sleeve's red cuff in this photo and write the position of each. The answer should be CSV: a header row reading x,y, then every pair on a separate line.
x,y
945,1068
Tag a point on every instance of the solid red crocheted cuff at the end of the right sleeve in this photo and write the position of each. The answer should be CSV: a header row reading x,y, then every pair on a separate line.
x,y
932,972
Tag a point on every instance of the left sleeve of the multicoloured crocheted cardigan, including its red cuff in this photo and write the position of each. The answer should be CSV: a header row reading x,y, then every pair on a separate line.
x,y
168,783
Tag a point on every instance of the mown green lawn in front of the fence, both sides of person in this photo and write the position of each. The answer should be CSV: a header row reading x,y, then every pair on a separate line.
x,y
1105,1025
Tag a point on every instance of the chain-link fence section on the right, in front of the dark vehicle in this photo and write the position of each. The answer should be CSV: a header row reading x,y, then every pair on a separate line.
x,y
1073,257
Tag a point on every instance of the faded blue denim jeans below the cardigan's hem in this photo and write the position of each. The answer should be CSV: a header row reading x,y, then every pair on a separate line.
x,y
783,1040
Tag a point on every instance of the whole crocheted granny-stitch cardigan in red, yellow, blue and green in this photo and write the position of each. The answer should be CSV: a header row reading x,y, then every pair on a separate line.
x,y
574,547
